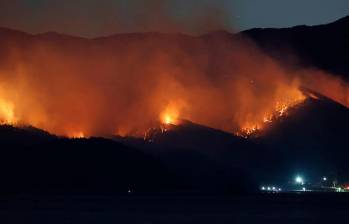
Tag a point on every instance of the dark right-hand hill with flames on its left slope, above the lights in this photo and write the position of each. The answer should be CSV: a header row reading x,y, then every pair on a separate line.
x,y
311,139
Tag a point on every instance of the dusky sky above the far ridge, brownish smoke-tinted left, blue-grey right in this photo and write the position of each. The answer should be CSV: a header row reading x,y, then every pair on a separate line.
x,y
103,17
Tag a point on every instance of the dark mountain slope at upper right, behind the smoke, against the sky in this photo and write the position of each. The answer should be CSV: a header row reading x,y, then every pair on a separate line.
x,y
323,46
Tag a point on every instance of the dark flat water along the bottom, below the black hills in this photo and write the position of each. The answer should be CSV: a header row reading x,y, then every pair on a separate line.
x,y
282,208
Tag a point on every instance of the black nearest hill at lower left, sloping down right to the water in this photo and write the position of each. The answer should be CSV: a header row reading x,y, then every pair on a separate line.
x,y
34,161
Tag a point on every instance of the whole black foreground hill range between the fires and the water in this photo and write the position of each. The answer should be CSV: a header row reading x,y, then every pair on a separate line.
x,y
185,158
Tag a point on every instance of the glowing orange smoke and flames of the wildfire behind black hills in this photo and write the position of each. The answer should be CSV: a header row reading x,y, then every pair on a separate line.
x,y
126,85
